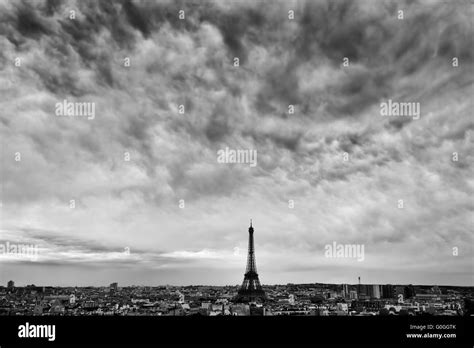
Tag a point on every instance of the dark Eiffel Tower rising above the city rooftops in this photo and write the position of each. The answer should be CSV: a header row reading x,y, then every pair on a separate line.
x,y
251,290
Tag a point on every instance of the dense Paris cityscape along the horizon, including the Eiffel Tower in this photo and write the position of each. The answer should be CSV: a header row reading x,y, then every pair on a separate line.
x,y
251,298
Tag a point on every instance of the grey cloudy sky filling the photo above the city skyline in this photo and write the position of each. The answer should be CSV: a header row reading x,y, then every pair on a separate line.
x,y
134,205
